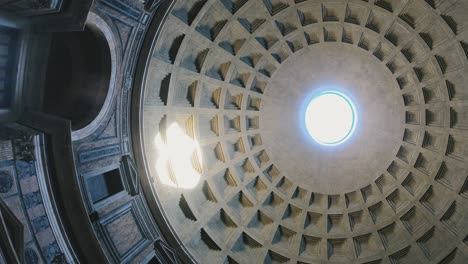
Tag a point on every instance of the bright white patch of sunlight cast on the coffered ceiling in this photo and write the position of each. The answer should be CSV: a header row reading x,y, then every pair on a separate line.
x,y
179,158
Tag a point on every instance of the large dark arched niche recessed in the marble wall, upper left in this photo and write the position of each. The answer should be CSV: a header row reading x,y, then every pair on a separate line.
x,y
77,76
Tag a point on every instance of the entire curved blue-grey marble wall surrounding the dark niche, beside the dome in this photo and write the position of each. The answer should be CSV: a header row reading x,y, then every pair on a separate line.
x,y
45,165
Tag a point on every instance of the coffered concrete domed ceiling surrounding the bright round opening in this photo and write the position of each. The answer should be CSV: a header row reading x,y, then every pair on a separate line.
x,y
239,179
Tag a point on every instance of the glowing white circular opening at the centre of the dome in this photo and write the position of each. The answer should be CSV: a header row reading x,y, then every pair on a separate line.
x,y
330,118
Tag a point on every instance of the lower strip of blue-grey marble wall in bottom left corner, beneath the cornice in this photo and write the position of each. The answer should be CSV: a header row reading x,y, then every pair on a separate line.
x,y
19,188
